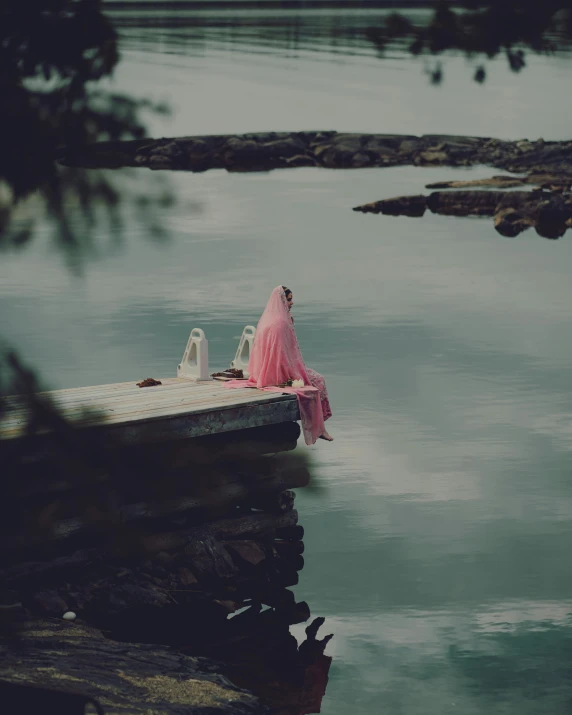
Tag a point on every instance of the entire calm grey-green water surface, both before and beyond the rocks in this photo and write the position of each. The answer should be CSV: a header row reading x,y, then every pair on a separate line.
x,y
438,546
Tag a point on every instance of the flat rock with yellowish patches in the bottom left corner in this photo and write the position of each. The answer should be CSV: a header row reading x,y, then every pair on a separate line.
x,y
64,660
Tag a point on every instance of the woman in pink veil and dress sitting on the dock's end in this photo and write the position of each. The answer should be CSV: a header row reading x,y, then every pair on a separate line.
x,y
276,359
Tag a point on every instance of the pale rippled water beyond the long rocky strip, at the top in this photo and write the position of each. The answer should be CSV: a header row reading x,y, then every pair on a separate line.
x,y
232,71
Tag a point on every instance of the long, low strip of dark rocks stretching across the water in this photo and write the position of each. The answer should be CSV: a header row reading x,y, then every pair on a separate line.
x,y
270,150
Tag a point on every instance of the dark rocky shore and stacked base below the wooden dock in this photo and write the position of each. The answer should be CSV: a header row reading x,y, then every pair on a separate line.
x,y
180,599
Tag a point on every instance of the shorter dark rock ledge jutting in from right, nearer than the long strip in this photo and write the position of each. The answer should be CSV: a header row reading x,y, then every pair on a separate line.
x,y
550,212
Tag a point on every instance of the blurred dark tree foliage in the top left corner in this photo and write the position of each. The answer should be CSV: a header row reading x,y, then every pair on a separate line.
x,y
52,52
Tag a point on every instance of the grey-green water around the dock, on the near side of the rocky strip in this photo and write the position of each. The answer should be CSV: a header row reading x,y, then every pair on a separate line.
x,y
446,348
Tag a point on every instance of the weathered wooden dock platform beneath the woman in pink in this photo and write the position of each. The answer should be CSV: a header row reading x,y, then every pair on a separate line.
x,y
179,408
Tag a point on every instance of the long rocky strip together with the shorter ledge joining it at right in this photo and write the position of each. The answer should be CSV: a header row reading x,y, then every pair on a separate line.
x,y
545,165
